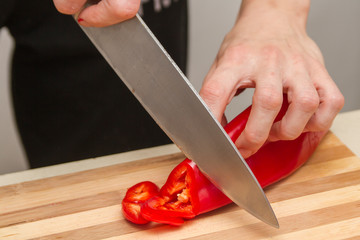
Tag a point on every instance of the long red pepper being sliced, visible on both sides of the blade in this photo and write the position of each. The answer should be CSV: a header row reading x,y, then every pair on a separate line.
x,y
188,193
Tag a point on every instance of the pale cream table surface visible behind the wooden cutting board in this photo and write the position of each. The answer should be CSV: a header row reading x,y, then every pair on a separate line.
x,y
346,127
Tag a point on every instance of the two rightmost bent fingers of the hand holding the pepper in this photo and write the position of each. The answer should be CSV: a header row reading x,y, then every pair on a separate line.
x,y
313,104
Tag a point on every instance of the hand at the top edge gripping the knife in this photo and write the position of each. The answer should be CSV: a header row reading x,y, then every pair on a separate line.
x,y
104,13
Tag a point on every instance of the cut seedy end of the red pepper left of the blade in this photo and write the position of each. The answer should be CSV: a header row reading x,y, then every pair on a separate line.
x,y
186,193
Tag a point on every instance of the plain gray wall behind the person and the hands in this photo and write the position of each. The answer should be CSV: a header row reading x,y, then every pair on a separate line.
x,y
334,25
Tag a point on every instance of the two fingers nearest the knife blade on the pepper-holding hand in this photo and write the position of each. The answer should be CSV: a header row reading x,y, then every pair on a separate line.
x,y
234,71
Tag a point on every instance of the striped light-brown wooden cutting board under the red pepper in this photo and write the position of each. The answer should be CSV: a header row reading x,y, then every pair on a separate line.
x,y
319,201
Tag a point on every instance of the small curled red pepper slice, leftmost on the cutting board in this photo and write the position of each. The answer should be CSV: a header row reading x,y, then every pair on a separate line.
x,y
135,196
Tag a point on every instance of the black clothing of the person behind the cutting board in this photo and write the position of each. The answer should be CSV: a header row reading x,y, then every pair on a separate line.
x,y
69,104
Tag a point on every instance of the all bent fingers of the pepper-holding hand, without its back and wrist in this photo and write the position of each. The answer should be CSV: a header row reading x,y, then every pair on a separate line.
x,y
314,99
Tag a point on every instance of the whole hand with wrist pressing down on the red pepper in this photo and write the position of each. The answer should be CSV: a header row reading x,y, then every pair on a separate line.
x,y
268,49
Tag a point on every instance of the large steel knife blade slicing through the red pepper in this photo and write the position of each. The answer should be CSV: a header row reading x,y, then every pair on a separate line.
x,y
152,76
